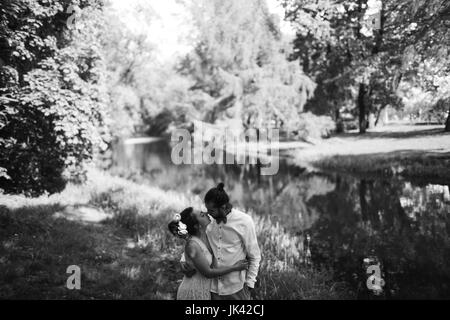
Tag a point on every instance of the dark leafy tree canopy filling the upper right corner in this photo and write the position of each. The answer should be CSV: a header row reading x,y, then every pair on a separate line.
x,y
371,40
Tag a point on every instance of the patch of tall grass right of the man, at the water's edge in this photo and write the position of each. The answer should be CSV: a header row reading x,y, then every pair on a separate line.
x,y
286,272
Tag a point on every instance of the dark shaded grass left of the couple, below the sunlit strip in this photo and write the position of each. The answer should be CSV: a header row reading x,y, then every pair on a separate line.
x,y
37,248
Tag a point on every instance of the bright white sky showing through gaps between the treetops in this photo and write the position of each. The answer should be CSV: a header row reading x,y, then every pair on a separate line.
x,y
170,30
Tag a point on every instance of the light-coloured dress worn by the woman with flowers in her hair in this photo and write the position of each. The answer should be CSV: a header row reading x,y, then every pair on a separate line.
x,y
197,287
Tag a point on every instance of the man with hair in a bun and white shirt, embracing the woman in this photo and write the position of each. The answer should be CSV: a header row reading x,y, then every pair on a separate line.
x,y
232,237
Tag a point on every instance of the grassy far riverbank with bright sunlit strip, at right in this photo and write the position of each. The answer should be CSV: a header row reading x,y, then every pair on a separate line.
x,y
414,152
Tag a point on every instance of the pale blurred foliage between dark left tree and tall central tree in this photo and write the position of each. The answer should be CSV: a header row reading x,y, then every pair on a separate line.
x,y
145,92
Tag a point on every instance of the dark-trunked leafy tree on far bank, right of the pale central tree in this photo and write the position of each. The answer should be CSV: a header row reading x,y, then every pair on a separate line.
x,y
345,37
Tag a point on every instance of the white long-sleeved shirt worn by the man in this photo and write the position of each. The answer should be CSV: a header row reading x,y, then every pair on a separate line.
x,y
231,242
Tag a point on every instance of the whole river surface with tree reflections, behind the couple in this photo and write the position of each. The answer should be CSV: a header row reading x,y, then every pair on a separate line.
x,y
402,225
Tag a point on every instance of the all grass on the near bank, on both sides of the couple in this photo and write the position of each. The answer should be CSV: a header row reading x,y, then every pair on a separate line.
x,y
128,254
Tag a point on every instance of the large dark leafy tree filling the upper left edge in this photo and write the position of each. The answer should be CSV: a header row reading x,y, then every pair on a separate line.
x,y
52,104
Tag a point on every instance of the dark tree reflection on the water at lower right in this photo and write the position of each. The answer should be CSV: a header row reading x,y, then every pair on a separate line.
x,y
407,227
